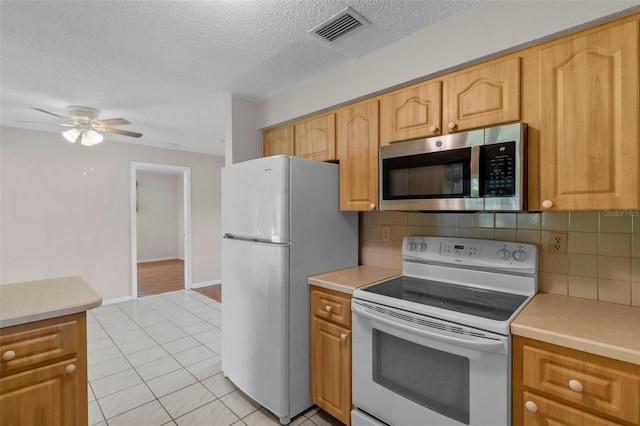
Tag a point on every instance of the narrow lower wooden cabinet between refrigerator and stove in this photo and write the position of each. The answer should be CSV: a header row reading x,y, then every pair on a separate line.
x,y
331,352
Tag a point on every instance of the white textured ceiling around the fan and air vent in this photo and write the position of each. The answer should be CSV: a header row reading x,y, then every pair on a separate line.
x,y
166,66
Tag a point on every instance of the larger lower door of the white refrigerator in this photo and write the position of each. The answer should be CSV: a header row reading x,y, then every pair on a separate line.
x,y
255,321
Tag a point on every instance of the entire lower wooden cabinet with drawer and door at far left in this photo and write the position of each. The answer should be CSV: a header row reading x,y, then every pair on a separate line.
x,y
43,373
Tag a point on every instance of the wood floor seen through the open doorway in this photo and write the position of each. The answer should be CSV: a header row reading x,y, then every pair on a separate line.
x,y
160,277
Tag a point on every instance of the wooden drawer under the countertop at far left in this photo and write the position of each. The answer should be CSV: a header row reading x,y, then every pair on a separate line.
x,y
23,347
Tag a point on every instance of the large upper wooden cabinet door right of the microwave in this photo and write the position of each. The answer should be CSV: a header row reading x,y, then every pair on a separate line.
x,y
589,121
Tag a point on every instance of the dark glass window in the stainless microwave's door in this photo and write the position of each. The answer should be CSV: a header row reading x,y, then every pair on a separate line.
x,y
443,174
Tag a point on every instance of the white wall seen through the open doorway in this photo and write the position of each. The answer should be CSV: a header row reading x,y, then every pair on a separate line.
x,y
158,227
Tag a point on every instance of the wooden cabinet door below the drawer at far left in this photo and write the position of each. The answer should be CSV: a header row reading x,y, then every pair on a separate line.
x,y
45,396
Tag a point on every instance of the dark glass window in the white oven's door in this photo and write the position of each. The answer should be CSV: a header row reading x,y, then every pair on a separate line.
x,y
432,378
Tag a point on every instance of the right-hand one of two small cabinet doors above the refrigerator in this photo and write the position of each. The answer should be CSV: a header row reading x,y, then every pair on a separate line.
x,y
316,138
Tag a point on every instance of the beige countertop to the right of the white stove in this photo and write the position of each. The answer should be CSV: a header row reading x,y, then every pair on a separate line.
x,y
600,328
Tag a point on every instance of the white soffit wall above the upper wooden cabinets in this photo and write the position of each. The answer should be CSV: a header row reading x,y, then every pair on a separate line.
x,y
481,30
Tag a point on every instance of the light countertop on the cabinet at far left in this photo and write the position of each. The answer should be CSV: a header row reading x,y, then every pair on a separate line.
x,y
43,299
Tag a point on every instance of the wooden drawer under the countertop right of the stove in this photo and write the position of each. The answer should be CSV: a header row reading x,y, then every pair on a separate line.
x,y
594,387
